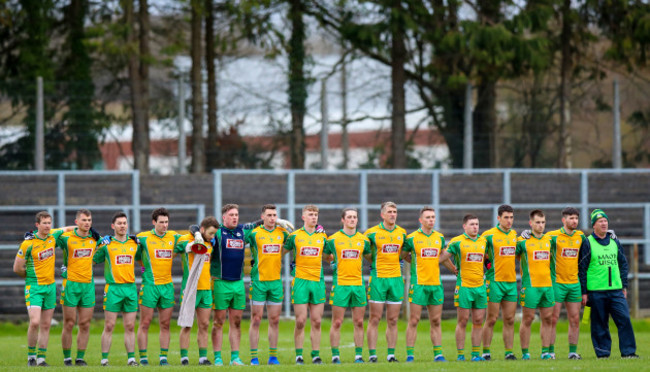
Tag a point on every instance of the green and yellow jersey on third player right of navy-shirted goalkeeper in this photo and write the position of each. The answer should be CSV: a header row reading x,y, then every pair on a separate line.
x,y
348,251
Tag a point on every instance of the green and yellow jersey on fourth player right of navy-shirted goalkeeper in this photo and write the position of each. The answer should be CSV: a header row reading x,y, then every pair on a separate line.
x,y
385,248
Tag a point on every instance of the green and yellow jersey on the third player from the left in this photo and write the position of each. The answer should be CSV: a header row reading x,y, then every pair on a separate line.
x,y
119,260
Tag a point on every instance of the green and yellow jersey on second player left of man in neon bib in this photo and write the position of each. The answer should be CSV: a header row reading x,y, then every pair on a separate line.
x,y
535,261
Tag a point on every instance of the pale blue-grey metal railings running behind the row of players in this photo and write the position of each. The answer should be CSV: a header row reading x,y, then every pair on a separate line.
x,y
290,204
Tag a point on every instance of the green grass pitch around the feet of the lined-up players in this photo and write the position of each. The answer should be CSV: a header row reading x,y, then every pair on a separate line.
x,y
13,350
